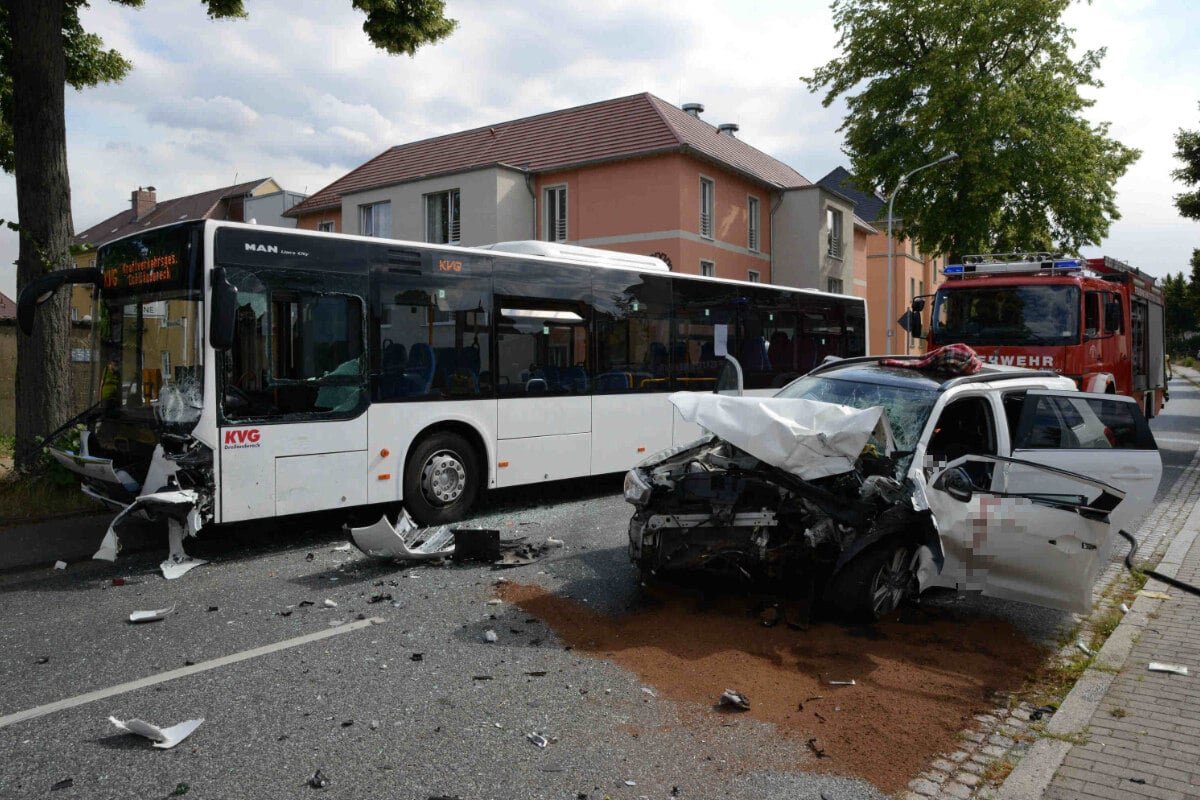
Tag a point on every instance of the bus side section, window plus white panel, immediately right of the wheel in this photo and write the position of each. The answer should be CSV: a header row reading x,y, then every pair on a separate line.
x,y
544,371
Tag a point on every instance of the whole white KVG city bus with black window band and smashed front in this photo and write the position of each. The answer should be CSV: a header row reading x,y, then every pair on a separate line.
x,y
248,372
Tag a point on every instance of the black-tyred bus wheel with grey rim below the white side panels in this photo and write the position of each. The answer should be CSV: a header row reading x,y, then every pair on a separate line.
x,y
442,479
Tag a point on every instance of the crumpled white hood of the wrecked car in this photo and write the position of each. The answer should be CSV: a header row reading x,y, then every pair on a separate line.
x,y
807,438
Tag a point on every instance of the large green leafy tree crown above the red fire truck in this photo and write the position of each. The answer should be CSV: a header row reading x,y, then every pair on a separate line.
x,y
995,83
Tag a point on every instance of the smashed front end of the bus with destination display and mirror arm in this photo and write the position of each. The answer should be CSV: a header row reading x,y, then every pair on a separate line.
x,y
148,444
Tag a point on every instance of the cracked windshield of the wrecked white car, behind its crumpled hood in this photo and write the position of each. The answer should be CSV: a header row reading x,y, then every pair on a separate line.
x,y
908,407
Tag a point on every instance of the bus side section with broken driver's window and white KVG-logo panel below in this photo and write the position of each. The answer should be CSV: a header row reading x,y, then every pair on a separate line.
x,y
292,395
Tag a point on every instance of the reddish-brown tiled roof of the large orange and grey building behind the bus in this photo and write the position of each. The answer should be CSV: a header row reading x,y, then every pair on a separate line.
x,y
615,129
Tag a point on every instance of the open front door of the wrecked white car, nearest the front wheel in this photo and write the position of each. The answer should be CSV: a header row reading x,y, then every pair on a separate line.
x,y
1041,542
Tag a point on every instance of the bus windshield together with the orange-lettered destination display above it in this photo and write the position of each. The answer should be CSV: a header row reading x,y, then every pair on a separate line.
x,y
151,338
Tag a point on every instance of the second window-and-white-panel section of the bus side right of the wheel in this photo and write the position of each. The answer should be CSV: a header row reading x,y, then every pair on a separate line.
x,y
631,417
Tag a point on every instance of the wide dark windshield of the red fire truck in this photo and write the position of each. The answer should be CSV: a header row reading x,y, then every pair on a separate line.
x,y
1007,315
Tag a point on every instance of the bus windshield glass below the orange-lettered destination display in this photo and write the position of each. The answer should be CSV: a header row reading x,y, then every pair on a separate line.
x,y
151,359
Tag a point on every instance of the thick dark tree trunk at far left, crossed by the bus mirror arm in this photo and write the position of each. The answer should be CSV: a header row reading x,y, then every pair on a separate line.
x,y
44,210
